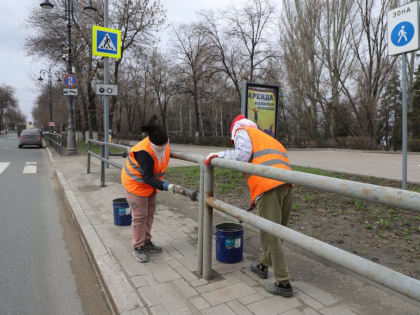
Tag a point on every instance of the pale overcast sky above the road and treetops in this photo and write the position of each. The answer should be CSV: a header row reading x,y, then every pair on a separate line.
x,y
17,70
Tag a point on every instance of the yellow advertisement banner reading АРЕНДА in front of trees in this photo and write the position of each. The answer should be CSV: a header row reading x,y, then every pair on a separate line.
x,y
262,108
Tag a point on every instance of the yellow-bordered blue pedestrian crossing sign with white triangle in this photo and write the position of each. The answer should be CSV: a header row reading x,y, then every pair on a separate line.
x,y
106,42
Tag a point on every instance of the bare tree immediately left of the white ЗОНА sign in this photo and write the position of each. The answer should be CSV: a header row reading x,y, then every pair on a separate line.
x,y
369,45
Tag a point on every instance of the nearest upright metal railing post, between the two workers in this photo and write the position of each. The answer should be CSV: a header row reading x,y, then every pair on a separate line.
x,y
207,223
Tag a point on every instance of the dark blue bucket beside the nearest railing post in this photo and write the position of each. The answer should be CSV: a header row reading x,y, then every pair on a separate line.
x,y
229,242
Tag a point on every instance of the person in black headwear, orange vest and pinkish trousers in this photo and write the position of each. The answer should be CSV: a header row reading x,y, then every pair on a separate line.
x,y
142,177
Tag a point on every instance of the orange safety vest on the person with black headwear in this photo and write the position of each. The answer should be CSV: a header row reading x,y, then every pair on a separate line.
x,y
131,174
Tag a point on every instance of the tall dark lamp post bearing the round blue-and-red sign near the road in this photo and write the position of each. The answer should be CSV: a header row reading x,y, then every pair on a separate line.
x,y
71,139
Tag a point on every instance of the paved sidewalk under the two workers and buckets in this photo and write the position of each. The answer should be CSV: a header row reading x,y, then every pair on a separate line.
x,y
168,283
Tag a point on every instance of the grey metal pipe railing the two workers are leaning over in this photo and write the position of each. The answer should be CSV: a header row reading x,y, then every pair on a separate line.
x,y
388,196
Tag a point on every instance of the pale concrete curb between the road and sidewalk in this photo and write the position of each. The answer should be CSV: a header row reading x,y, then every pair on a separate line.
x,y
119,293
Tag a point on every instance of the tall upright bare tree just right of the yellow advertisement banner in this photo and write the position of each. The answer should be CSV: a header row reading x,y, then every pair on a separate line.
x,y
303,63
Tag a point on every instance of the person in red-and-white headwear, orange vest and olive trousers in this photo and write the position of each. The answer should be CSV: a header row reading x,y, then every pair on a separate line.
x,y
272,198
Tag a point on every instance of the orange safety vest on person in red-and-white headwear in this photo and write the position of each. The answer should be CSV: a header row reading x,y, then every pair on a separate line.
x,y
265,151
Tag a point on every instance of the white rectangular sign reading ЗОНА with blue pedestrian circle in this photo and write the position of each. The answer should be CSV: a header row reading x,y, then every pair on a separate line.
x,y
403,29
